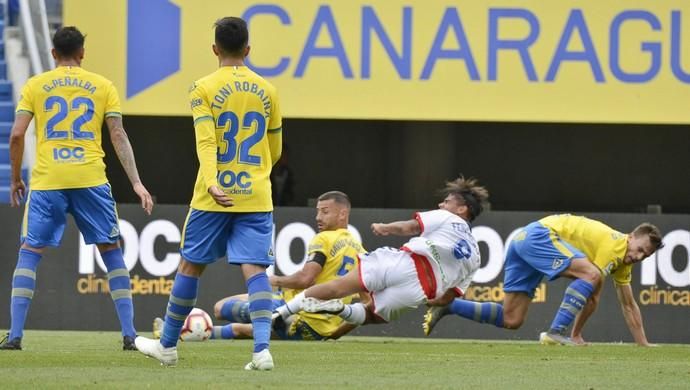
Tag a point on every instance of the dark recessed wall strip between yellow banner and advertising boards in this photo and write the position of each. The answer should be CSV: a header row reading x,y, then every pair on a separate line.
x,y
399,164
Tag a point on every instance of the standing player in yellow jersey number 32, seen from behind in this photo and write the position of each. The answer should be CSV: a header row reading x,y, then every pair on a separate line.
x,y
238,139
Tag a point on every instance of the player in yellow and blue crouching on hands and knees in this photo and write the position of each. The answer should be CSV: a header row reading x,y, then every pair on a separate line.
x,y
571,246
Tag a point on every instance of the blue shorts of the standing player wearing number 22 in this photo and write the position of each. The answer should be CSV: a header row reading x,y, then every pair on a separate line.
x,y
93,209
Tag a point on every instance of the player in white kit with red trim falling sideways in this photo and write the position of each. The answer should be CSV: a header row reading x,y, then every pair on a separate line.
x,y
433,268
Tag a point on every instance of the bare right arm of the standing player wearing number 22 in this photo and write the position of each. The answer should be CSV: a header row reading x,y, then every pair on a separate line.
x,y
124,152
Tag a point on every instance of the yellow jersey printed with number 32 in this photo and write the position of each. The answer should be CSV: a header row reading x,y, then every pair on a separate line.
x,y
238,131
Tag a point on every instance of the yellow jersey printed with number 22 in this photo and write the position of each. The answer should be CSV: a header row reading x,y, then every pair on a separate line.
x,y
69,105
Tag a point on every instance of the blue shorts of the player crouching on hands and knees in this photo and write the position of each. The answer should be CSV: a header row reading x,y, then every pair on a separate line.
x,y
534,253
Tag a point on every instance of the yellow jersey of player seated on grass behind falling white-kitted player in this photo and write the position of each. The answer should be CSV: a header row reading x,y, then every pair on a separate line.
x,y
341,250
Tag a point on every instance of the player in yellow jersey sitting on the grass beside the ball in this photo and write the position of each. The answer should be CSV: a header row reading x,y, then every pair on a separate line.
x,y
332,253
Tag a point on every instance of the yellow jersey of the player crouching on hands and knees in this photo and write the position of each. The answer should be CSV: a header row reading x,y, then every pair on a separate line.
x,y
602,245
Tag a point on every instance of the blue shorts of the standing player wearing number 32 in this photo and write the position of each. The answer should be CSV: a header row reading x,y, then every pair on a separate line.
x,y
246,238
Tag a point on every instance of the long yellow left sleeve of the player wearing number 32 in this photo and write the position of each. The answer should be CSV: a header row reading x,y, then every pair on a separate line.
x,y
205,132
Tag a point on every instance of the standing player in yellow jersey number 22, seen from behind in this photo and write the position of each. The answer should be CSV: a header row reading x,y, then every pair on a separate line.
x,y
69,106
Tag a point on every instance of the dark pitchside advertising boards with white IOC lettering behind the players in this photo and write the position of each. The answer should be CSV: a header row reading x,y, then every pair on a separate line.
x,y
71,288
